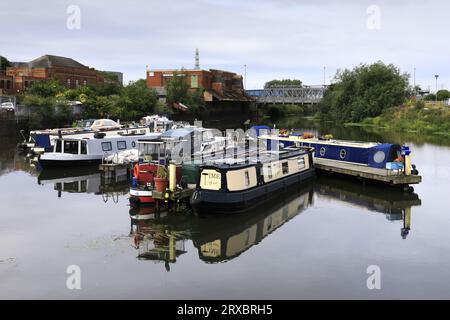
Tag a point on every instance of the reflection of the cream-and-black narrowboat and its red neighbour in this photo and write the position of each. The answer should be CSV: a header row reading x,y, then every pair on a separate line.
x,y
161,237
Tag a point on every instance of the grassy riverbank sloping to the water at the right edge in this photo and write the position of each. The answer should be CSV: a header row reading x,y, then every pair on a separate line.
x,y
417,118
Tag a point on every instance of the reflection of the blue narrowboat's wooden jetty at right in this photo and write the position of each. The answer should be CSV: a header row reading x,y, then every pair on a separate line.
x,y
395,204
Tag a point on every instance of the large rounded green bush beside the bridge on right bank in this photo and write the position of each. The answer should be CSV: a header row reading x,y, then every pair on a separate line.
x,y
363,92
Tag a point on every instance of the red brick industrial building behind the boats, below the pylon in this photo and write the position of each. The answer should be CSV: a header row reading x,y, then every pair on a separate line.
x,y
218,85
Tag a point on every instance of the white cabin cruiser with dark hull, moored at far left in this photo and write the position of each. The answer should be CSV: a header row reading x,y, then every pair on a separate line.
x,y
69,151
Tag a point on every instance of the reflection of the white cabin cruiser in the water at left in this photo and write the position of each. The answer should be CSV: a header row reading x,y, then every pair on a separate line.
x,y
84,180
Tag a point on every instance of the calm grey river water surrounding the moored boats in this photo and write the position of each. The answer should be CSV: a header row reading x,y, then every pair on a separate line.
x,y
315,242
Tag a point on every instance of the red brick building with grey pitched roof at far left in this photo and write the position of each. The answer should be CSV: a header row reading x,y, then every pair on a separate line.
x,y
69,72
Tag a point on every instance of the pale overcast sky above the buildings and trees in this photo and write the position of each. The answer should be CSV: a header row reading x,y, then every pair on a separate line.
x,y
275,39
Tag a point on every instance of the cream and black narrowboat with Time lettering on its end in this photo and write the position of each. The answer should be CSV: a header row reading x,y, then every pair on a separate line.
x,y
239,186
